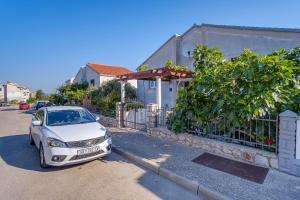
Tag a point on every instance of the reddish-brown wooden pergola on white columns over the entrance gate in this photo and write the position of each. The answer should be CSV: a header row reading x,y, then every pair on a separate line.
x,y
158,74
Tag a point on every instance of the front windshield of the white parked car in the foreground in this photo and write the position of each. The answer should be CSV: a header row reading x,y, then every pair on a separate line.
x,y
68,117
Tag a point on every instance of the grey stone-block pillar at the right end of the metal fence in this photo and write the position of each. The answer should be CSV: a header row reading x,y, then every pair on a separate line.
x,y
287,161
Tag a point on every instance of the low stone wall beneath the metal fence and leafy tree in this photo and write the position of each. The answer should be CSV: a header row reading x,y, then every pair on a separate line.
x,y
230,150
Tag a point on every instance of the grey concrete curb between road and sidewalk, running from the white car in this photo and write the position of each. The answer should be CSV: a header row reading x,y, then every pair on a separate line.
x,y
190,185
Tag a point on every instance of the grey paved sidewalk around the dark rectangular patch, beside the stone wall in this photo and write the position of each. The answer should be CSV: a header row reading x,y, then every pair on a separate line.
x,y
177,158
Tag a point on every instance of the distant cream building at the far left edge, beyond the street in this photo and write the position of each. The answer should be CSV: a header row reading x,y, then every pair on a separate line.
x,y
15,92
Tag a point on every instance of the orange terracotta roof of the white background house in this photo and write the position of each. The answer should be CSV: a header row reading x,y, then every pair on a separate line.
x,y
109,69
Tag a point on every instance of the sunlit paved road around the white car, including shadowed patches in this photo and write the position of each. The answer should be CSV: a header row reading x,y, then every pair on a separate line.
x,y
113,178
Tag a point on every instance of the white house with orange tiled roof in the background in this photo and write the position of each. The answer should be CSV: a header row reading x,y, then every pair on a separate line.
x,y
96,74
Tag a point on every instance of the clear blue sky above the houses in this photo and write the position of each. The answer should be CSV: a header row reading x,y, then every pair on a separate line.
x,y
43,43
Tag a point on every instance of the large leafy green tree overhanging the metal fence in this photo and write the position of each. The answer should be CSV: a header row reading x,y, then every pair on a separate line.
x,y
248,86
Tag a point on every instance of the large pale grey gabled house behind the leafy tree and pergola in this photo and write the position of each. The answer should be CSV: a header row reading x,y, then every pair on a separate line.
x,y
230,39
